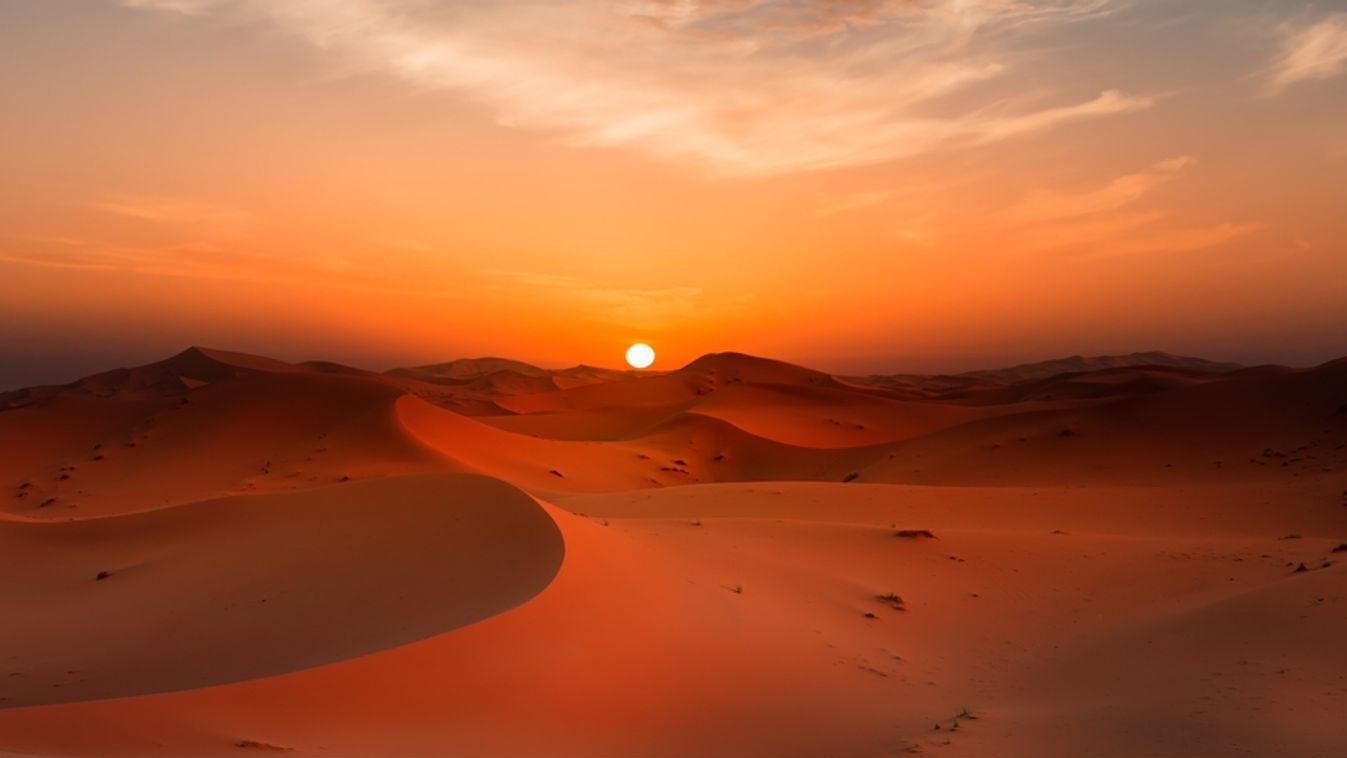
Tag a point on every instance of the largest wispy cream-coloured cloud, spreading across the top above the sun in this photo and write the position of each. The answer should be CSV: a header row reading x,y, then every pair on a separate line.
x,y
739,87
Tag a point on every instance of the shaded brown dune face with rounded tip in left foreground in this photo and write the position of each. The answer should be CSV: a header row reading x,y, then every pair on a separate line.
x,y
249,588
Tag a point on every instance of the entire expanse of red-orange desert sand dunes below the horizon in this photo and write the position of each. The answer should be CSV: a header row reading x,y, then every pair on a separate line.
x,y
1093,557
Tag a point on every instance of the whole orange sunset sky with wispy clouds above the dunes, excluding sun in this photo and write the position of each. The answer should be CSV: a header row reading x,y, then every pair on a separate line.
x,y
853,185
